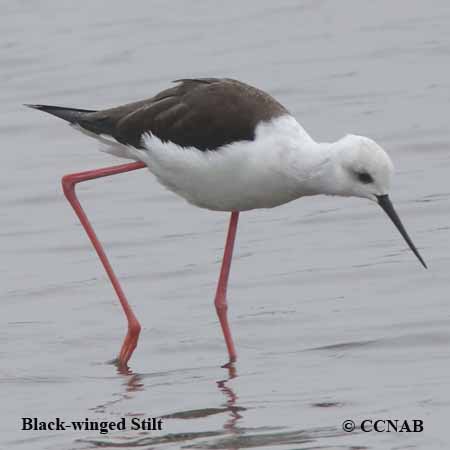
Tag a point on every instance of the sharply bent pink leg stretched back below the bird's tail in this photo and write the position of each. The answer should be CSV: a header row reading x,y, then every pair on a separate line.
x,y
68,183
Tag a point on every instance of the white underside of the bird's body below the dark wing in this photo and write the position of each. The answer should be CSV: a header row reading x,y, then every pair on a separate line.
x,y
237,177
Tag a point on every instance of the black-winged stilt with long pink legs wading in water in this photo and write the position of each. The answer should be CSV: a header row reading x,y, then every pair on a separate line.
x,y
224,145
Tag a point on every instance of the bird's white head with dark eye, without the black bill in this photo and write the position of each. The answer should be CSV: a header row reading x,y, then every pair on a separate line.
x,y
361,168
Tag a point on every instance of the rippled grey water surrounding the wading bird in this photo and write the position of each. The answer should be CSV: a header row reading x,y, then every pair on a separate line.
x,y
333,316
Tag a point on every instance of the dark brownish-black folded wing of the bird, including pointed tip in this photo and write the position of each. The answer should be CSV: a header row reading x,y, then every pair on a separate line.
x,y
205,113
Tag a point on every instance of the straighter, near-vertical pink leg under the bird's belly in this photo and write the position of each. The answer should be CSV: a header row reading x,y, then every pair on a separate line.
x,y
221,292
